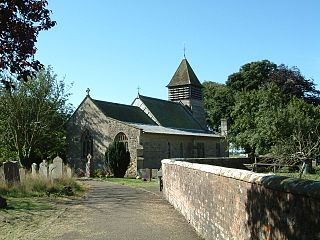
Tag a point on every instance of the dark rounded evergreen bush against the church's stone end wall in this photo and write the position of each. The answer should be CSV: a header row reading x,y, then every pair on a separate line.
x,y
118,158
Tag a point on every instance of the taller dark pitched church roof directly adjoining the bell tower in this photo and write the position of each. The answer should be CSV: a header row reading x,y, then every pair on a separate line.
x,y
170,114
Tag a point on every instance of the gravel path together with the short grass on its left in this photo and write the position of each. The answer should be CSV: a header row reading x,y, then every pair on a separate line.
x,y
109,209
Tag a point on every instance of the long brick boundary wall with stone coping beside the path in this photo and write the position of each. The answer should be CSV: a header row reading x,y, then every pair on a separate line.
x,y
224,203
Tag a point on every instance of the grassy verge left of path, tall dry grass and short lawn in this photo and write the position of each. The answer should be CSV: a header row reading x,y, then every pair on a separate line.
x,y
34,204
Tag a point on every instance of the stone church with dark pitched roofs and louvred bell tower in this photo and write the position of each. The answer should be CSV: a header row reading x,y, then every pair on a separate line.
x,y
152,129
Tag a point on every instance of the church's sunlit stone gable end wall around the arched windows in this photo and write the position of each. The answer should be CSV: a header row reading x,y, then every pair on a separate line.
x,y
103,131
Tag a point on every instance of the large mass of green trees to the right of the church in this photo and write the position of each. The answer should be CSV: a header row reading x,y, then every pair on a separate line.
x,y
256,101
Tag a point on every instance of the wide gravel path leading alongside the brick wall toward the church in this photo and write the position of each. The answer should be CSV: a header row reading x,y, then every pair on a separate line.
x,y
113,211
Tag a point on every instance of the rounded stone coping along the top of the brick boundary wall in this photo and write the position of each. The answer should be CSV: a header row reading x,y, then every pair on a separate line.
x,y
286,184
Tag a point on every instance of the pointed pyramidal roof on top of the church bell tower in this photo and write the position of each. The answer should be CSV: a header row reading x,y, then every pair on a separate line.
x,y
184,75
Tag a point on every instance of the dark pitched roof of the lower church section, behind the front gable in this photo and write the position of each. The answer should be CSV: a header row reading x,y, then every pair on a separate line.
x,y
122,112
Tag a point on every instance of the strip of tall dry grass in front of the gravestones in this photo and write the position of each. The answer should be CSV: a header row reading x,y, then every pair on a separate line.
x,y
39,187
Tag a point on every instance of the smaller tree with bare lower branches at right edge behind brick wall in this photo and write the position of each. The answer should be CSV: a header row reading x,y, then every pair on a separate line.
x,y
300,140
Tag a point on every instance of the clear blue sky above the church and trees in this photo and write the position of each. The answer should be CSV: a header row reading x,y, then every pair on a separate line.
x,y
114,46
